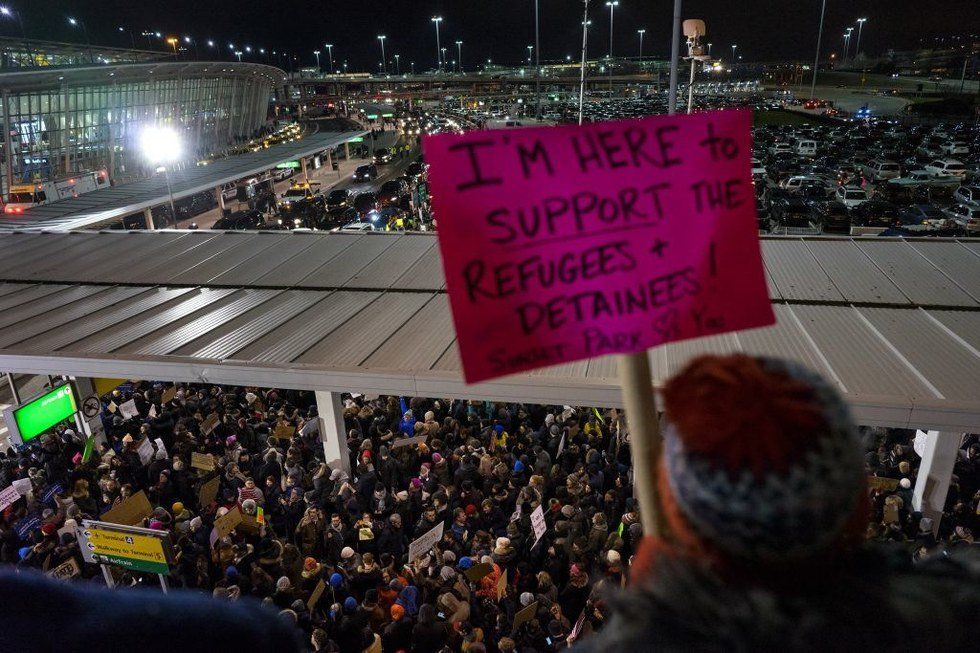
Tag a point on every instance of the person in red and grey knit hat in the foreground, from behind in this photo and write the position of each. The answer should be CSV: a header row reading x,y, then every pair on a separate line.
x,y
762,489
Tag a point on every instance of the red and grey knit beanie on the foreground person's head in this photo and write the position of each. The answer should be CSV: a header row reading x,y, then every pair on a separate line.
x,y
772,472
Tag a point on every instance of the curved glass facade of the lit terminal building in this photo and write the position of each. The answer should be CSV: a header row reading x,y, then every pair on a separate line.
x,y
59,122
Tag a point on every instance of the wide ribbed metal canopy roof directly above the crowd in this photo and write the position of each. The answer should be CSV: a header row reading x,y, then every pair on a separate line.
x,y
897,328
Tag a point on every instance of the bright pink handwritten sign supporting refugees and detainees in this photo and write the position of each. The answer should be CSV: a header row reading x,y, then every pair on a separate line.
x,y
564,243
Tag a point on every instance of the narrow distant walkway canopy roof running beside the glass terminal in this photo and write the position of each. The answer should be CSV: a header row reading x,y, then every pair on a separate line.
x,y
105,206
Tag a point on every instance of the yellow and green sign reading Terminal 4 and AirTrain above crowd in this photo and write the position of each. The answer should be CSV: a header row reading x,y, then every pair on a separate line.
x,y
137,549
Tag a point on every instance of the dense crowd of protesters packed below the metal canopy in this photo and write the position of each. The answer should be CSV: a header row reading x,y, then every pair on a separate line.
x,y
327,545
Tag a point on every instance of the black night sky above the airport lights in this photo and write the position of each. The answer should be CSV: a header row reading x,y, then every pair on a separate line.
x,y
765,30
